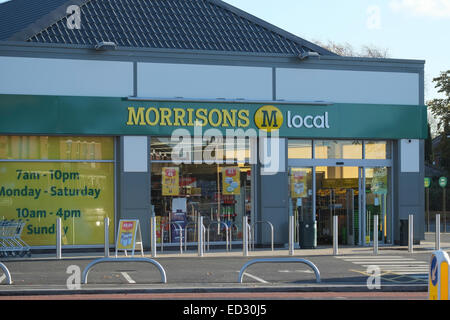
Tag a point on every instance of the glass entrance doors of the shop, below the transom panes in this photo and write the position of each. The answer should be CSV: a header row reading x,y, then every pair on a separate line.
x,y
355,194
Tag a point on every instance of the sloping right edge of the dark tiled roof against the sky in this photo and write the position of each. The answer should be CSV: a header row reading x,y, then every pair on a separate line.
x,y
273,28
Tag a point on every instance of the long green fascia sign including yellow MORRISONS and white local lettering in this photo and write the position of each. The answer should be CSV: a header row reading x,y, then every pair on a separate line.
x,y
69,115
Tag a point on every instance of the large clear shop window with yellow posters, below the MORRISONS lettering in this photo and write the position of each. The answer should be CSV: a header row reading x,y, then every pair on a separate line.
x,y
181,192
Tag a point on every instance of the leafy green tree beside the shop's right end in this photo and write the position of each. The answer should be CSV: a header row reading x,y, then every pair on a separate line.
x,y
440,108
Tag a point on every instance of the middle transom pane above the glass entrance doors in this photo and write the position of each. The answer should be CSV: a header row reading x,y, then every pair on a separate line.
x,y
338,149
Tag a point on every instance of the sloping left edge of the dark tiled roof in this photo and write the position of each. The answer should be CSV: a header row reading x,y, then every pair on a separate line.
x,y
45,21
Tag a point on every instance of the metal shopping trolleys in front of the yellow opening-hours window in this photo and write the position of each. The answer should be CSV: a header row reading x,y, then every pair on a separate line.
x,y
11,243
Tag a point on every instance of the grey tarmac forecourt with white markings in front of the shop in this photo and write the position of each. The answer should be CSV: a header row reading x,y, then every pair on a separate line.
x,y
217,271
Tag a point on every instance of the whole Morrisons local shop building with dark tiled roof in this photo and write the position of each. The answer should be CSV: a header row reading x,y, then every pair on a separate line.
x,y
127,108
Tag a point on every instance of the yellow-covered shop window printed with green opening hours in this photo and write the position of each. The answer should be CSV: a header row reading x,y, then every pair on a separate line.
x,y
38,184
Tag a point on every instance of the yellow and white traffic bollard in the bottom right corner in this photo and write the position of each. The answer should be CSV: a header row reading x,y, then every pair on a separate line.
x,y
438,281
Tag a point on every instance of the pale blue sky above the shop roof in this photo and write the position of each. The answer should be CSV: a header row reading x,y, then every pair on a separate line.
x,y
408,29
